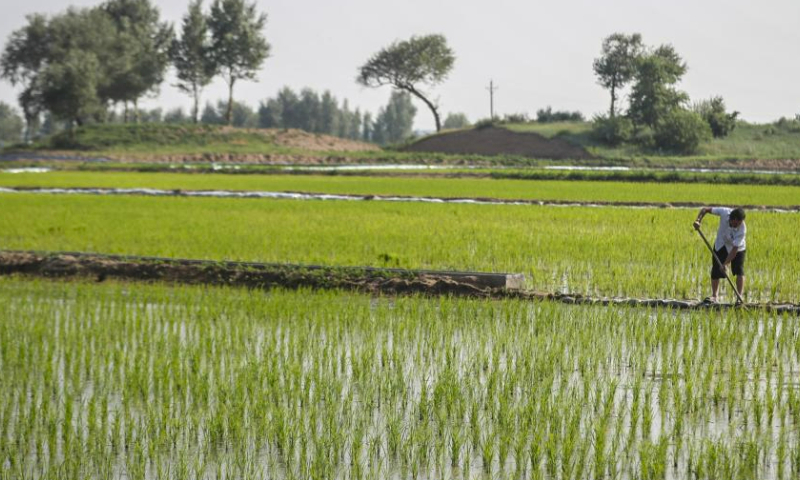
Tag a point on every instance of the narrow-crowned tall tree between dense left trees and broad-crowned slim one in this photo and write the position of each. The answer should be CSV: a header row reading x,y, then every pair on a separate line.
x,y
191,55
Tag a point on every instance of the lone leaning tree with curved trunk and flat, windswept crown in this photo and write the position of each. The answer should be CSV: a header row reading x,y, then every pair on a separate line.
x,y
407,65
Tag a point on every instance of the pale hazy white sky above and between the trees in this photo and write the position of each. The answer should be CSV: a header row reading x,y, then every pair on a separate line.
x,y
539,53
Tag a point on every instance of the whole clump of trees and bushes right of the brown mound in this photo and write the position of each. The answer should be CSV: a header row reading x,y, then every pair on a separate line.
x,y
659,114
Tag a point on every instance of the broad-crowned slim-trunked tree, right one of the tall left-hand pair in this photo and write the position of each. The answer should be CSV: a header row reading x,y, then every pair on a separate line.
x,y
238,48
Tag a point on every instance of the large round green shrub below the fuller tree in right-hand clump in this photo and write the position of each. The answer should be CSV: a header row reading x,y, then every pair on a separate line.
x,y
681,131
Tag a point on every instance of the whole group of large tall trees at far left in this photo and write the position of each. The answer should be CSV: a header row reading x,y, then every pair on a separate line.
x,y
79,64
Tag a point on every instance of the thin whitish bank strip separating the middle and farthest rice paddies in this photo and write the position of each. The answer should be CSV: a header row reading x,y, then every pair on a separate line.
x,y
152,192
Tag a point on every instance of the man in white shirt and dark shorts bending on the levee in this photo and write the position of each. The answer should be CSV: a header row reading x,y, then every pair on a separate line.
x,y
729,246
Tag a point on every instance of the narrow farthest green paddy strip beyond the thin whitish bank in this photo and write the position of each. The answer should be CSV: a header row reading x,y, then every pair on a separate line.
x,y
422,186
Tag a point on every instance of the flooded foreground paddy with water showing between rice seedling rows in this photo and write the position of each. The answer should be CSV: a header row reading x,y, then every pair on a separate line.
x,y
138,382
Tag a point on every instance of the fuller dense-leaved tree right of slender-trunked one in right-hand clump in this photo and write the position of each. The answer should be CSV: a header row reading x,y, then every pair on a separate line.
x,y
653,94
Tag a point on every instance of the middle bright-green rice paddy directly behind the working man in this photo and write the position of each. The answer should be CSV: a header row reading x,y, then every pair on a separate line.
x,y
597,251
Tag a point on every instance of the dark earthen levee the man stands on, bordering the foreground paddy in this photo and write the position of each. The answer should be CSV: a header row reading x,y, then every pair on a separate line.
x,y
365,279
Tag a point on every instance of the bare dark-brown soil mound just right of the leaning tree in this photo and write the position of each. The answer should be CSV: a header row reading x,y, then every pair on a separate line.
x,y
500,141
